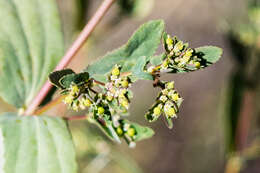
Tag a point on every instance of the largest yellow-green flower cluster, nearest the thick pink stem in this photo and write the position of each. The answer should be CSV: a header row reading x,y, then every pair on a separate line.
x,y
107,107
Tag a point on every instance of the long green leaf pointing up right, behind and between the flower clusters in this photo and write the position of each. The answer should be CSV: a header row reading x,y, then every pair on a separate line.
x,y
144,42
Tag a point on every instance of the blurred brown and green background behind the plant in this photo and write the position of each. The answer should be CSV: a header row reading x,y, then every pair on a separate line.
x,y
218,126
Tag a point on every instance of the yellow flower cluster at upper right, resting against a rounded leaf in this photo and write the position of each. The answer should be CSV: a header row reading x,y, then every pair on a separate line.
x,y
178,56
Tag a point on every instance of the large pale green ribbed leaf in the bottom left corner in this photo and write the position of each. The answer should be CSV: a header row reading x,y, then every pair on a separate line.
x,y
35,144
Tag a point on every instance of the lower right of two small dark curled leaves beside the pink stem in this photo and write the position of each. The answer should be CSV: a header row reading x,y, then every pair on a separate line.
x,y
78,79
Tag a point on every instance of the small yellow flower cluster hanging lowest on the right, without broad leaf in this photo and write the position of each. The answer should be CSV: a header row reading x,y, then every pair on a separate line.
x,y
167,103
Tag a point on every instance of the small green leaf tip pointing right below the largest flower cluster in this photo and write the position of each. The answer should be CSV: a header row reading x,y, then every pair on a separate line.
x,y
142,132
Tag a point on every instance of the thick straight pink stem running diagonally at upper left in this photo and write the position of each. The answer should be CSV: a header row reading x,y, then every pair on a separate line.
x,y
79,42
